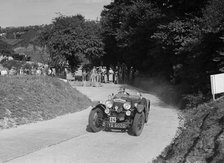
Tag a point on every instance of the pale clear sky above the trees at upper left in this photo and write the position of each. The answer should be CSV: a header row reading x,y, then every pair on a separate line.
x,y
37,12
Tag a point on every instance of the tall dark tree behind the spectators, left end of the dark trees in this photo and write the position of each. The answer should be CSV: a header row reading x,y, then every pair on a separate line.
x,y
127,27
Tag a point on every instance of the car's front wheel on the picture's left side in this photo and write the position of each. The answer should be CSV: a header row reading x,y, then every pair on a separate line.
x,y
96,120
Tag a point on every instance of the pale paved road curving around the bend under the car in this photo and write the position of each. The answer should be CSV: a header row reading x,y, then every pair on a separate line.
x,y
65,139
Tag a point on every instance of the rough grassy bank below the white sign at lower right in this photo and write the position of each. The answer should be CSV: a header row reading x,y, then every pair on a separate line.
x,y
200,138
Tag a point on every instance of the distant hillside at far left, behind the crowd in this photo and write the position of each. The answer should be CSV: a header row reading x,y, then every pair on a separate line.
x,y
24,41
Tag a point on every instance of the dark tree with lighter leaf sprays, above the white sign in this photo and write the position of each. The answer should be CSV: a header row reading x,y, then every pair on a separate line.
x,y
193,43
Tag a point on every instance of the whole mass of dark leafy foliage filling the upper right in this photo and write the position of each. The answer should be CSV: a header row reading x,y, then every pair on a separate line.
x,y
182,40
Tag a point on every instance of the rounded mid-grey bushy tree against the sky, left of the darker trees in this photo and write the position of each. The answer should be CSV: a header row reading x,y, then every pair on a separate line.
x,y
71,40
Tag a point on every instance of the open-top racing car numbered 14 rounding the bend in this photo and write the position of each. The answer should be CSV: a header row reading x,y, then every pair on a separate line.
x,y
121,111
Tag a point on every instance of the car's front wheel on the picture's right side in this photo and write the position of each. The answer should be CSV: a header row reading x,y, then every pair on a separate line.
x,y
138,124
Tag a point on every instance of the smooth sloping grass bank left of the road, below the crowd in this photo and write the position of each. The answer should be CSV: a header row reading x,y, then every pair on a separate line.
x,y
26,99
